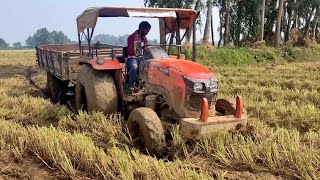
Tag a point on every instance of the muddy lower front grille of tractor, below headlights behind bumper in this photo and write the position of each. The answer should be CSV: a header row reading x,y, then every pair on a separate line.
x,y
195,101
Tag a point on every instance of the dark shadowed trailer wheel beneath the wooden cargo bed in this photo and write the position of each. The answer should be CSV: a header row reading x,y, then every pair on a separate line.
x,y
56,88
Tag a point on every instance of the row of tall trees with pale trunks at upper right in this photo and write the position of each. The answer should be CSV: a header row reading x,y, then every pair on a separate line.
x,y
245,22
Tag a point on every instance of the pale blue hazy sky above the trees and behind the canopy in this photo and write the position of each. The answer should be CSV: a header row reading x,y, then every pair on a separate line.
x,y
20,19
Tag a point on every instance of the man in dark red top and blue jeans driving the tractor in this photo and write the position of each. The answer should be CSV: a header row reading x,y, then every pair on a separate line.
x,y
136,44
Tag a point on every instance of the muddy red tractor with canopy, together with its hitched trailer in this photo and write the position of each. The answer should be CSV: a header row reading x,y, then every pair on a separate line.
x,y
171,89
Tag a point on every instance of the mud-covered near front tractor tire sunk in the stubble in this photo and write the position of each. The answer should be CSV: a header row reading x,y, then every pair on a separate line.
x,y
146,131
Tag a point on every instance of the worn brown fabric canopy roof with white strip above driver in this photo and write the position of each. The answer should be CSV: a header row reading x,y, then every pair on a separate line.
x,y
173,18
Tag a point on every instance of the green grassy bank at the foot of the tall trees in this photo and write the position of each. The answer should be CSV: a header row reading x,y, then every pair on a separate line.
x,y
235,56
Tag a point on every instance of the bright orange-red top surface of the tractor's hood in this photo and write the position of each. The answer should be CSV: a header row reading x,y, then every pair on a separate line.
x,y
187,68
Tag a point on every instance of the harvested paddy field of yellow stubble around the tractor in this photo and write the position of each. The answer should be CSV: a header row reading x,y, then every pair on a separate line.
x,y
282,140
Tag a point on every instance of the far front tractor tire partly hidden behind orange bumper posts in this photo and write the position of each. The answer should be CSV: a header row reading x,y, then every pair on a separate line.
x,y
228,107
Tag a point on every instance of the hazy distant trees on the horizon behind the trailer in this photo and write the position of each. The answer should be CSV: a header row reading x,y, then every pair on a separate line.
x,y
43,36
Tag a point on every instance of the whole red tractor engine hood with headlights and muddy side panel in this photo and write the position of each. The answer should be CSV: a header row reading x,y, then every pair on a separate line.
x,y
183,84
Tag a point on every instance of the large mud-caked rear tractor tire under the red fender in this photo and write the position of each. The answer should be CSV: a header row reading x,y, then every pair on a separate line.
x,y
96,91
